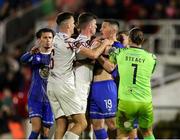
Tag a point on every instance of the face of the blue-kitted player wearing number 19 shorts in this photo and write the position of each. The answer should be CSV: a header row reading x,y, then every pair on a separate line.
x,y
105,29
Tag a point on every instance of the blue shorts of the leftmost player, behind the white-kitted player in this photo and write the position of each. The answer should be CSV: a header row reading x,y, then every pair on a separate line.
x,y
42,110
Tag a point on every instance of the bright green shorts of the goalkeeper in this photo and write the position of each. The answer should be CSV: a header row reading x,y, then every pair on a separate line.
x,y
128,111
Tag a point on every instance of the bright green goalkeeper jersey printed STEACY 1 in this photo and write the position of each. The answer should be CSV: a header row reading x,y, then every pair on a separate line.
x,y
135,67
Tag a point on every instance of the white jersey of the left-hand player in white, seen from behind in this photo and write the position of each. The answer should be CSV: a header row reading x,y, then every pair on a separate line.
x,y
63,58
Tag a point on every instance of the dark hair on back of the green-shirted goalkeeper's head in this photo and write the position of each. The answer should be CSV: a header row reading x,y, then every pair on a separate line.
x,y
136,35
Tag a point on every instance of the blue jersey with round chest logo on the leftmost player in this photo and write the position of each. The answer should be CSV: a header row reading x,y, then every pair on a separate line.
x,y
40,65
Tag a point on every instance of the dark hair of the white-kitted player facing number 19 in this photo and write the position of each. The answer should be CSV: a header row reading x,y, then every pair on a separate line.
x,y
84,18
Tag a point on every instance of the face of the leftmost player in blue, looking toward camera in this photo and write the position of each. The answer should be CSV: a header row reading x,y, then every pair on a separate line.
x,y
46,40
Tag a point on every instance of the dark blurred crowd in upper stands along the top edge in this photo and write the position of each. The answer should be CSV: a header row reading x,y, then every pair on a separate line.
x,y
124,9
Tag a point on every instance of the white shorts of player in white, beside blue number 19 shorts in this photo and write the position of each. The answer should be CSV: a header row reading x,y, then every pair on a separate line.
x,y
82,90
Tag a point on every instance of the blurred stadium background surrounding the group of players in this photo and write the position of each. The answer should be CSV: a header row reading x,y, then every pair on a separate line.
x,y
19,20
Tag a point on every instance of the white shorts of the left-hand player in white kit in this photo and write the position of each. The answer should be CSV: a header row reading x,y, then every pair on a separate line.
x,y
63,98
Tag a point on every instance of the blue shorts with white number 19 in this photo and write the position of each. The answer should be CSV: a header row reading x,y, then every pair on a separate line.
x,y
103,99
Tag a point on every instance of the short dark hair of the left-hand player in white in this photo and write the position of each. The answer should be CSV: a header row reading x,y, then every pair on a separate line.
x,y
63,16
